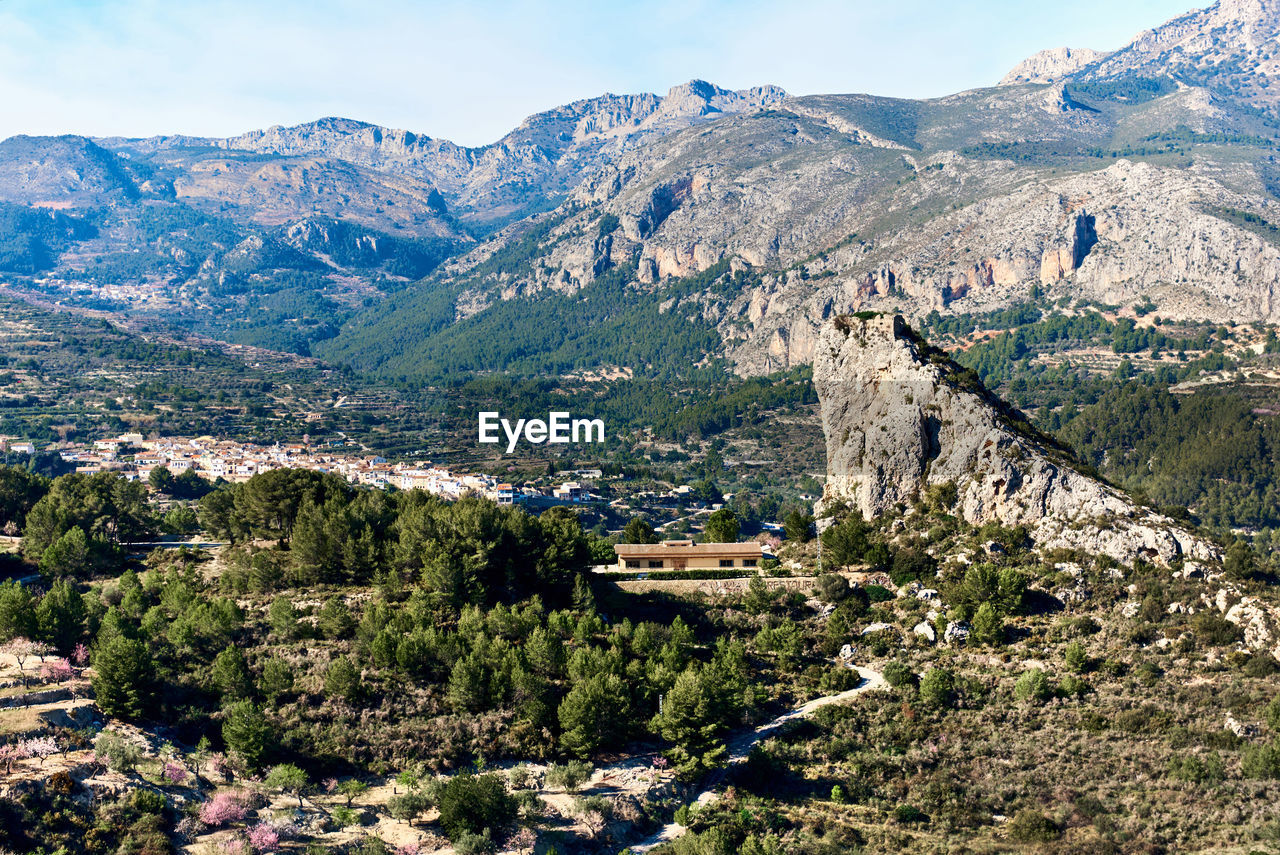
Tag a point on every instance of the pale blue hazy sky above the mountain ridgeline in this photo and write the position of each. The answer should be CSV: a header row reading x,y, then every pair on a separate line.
x,y
472,71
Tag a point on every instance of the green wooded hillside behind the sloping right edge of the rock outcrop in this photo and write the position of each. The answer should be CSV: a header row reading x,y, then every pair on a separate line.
x,y
1210,452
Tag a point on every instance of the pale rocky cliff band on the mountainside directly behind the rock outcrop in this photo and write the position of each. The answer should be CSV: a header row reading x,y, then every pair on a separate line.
x,y
1116,236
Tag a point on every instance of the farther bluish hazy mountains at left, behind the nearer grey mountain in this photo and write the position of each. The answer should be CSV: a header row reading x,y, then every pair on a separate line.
x,y
277,236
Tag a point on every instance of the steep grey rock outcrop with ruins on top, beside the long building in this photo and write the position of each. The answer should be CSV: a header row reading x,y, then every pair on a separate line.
x,y
900,417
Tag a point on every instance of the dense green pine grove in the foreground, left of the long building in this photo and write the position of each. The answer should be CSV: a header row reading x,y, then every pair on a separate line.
x,y
473,621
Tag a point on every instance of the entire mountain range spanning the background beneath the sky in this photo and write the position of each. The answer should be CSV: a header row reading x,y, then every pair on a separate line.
x,y
696,227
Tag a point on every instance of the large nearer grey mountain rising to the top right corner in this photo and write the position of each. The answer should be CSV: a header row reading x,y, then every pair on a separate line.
x,y
1148,175
